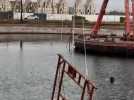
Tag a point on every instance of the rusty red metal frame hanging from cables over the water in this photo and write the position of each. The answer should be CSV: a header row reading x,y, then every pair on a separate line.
x,y
63,67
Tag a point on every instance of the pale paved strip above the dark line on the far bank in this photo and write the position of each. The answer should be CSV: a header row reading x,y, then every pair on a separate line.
x,y
30,29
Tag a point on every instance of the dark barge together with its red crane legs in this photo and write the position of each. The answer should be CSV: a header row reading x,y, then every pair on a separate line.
x,y
108,44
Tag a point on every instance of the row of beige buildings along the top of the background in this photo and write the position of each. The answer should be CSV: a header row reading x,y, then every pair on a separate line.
x,y
48,6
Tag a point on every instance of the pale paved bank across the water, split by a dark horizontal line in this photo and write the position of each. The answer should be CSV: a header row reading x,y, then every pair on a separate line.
x,y
32,33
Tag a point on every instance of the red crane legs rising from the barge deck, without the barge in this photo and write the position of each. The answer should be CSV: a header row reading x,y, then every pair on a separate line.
x,y
128,30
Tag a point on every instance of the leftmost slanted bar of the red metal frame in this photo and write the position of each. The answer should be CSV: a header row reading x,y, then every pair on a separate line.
x,y
55,80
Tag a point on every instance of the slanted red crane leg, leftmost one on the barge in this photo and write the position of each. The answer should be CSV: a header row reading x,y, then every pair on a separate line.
x,y
100,17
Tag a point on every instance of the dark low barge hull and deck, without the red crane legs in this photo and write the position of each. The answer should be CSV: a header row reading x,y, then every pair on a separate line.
x,y
106,46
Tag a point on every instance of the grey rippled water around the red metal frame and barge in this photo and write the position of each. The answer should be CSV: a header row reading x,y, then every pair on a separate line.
x,y
28,74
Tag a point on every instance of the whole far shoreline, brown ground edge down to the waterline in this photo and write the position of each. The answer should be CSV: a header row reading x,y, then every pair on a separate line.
x,y
39,32
